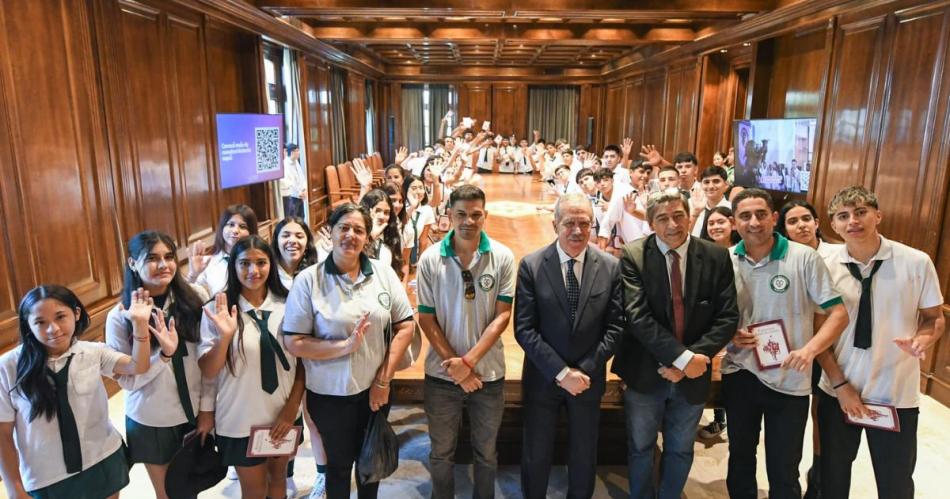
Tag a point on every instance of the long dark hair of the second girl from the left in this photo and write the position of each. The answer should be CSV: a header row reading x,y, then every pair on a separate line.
x,y
186,307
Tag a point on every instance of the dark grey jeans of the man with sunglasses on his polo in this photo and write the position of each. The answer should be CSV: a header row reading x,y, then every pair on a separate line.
x,y
444,402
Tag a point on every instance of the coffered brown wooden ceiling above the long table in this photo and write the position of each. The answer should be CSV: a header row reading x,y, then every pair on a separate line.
x,y
510,33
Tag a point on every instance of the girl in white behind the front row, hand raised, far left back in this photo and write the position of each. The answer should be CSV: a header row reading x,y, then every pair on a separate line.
x,y
209,268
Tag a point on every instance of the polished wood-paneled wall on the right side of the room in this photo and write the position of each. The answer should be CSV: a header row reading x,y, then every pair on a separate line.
x,y
874,77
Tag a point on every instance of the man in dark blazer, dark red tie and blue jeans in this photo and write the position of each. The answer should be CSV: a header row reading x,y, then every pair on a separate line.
x,y
680,305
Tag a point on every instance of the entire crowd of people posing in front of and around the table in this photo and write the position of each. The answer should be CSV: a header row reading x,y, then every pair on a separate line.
x,y
311,329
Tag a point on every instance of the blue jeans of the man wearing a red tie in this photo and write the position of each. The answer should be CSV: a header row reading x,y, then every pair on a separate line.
x,y
664,409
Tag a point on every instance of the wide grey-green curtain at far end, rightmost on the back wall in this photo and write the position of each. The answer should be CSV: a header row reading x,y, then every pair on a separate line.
x,y
553,111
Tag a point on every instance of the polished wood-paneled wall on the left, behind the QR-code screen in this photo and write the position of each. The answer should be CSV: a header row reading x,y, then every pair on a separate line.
x,y
111,131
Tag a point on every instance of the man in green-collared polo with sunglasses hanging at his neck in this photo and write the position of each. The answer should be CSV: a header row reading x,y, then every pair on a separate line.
x,y
465,293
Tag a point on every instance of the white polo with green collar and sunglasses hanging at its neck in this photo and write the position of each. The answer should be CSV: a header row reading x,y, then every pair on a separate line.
x,y
441,292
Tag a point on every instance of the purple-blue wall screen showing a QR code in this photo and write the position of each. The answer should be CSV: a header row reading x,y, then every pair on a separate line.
x,y
250,148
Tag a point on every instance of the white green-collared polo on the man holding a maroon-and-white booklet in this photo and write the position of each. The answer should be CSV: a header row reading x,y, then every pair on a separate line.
x,y
787,284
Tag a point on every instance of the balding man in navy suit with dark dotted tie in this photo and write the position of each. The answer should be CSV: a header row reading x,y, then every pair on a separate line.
x,y
568,318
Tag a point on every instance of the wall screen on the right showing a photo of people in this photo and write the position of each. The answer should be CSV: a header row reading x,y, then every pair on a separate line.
x,y
774,154
